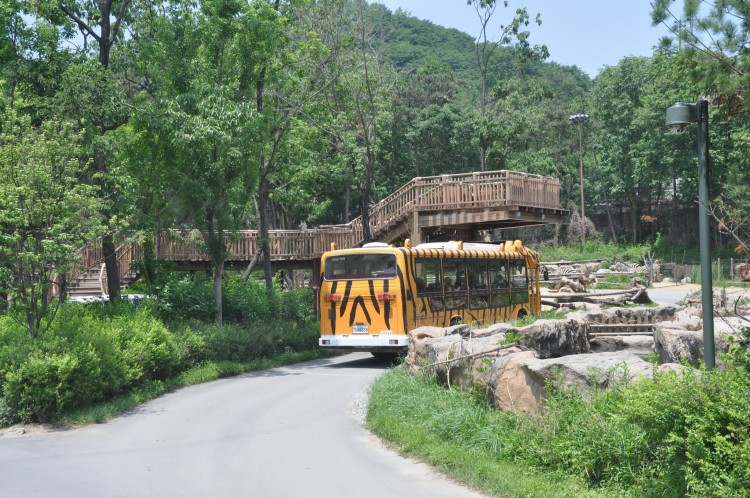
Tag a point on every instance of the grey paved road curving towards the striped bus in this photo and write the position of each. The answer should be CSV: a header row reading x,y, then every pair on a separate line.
x,y
286,432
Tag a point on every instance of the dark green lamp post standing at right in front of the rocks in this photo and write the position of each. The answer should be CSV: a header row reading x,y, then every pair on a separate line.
x,y
679,117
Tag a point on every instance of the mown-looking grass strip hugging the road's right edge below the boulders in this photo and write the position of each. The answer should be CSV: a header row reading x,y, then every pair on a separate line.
x,y
460,437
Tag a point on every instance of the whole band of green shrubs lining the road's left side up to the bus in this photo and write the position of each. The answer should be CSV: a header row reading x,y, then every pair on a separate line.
x,y
94,353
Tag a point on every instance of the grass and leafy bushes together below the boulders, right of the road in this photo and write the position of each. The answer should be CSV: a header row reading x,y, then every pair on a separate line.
x,y
678,434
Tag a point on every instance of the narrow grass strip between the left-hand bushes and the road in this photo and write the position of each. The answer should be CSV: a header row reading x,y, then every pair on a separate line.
x,y
199,374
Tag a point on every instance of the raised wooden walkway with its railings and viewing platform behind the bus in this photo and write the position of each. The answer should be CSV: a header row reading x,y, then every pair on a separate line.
x,y
462,203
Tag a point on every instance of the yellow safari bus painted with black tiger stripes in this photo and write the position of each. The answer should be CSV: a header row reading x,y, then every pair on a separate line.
x,y
370,297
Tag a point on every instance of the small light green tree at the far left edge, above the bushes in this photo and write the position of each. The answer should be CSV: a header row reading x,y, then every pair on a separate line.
x,y
46,213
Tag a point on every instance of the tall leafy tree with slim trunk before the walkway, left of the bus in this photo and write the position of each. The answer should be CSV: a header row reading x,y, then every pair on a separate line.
x,y
200,111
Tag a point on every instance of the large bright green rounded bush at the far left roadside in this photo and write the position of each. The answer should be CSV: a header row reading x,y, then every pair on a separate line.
x,y
82,359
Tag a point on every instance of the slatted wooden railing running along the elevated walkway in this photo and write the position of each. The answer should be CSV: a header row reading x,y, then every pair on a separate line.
x,y
435,193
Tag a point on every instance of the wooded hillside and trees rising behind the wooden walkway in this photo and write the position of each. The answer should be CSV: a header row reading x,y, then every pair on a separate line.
x,y
217,115
